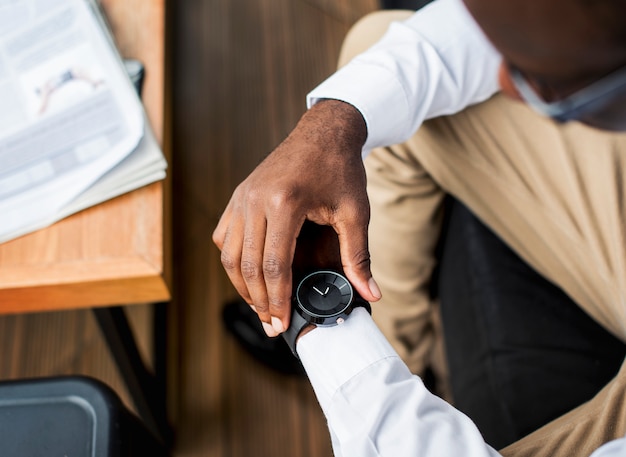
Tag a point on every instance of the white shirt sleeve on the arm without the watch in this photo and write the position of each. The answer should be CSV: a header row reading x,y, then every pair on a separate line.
x,y
435,63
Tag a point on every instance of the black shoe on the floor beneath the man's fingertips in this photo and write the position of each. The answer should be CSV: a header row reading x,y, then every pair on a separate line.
x,y
245,326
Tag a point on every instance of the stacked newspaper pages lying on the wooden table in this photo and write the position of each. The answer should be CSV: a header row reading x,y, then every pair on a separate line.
x,y
68,114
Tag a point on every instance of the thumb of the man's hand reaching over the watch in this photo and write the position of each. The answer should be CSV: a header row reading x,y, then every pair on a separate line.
x,y
355,259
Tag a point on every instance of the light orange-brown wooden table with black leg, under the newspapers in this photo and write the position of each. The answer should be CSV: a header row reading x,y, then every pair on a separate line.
x,y
115,253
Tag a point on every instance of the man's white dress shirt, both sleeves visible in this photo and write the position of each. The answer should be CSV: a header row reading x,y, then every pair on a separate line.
x,y
437,62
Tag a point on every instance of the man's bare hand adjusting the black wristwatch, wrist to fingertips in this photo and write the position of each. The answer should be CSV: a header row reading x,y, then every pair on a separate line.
x,y
315,175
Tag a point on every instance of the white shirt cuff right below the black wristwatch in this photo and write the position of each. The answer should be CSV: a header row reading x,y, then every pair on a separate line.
x,y
332,356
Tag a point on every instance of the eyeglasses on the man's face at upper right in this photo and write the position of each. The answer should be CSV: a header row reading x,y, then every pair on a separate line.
x,y
582,104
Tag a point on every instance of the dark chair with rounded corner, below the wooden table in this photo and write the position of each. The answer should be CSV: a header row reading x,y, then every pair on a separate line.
x,y
70,416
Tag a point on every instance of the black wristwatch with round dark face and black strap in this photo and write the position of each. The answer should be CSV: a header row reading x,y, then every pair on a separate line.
x,y
324,298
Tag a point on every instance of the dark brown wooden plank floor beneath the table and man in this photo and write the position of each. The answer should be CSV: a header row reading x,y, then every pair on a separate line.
x,y
241,69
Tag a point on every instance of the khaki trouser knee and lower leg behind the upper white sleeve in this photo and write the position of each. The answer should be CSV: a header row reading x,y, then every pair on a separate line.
x,y
404,229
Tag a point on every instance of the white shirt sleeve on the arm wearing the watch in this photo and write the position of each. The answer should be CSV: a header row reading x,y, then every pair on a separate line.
x,y
374,405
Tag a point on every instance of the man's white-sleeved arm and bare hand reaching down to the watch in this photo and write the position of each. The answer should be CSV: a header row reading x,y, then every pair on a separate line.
x,y
316,174
